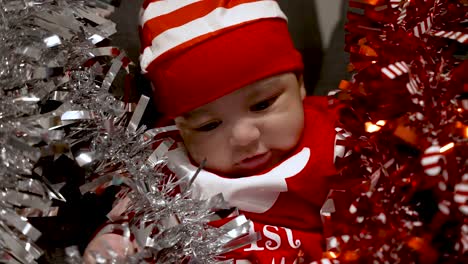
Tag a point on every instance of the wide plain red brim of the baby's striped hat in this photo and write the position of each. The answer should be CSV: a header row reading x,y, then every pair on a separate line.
x,y
189,77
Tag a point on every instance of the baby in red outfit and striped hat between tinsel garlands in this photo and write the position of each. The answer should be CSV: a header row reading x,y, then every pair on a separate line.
x,y
227,73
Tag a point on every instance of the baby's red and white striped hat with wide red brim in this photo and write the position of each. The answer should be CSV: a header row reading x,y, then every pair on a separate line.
x,y
196,51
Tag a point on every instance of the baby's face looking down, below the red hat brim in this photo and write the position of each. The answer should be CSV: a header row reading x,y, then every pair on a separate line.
x,y
247,131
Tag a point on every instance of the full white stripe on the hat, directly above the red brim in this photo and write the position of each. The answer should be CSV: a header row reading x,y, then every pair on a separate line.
x,y
220,18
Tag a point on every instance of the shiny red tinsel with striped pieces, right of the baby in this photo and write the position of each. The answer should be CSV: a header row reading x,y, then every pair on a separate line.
x,y
401,193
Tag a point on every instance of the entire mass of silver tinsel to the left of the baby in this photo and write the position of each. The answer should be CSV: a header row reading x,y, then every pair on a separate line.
x,y
57,75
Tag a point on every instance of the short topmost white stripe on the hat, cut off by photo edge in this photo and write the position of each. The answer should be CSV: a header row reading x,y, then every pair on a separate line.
x,y
163,7
